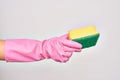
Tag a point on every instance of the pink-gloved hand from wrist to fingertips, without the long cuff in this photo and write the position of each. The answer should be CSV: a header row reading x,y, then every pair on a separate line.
x,y
60,48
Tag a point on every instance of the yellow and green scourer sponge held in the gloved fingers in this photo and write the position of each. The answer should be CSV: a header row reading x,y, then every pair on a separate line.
x,y
87,36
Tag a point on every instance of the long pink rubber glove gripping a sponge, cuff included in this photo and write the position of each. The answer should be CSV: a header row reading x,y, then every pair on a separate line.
x,y
59,49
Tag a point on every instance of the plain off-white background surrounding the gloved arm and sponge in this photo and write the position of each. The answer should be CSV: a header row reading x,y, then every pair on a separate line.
x,y
42,19
